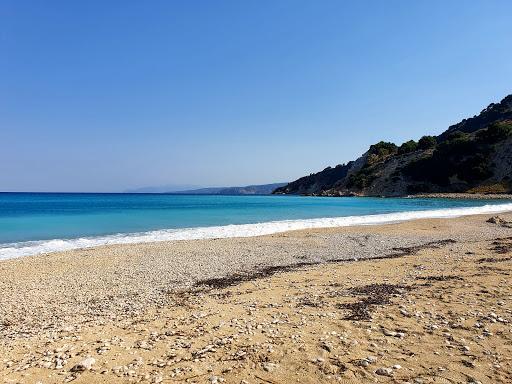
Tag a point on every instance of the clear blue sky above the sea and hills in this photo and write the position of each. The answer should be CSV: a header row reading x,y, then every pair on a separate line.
x,y
109,95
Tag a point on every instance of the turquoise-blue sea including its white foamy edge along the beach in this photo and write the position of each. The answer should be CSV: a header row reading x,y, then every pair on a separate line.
x,y
32,223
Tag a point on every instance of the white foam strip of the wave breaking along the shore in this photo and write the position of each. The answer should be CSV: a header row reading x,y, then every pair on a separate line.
x,y
28,248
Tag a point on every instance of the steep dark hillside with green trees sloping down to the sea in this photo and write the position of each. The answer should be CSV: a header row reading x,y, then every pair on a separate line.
x,y
473,156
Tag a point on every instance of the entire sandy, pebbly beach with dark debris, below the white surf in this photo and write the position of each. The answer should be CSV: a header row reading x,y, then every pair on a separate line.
x,y
419,301
